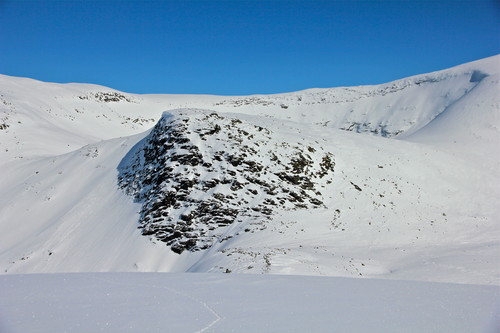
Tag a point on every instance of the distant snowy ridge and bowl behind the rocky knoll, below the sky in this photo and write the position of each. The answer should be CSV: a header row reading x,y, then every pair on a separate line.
x,y
80,114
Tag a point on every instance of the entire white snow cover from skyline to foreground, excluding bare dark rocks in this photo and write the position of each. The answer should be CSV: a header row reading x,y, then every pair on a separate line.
x,y
413,195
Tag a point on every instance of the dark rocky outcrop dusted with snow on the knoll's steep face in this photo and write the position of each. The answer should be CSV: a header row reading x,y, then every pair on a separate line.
x,y
199,173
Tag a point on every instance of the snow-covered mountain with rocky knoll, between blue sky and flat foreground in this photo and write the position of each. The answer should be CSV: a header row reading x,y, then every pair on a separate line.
x,y
399,180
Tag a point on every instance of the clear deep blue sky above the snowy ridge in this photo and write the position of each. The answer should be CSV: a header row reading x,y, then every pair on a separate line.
x,y
241,47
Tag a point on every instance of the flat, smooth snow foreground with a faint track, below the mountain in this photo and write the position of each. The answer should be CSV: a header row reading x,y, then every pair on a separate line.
x,y
159,302
